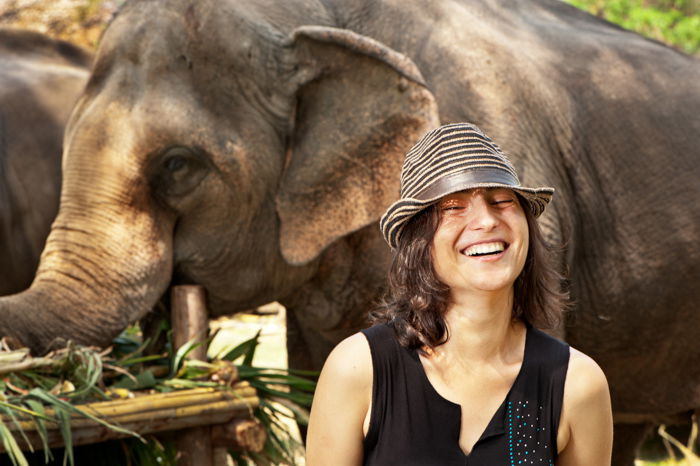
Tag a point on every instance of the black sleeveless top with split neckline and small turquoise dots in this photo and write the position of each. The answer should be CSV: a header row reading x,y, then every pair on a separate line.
x,y
411,424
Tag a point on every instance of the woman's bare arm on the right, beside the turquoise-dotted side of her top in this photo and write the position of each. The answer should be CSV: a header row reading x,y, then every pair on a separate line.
x,y
586,430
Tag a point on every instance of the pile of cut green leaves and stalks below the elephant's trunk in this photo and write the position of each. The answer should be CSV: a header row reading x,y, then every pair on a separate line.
x,y
48,391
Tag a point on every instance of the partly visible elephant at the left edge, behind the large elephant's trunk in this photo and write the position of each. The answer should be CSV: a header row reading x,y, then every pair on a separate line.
x,y
40,80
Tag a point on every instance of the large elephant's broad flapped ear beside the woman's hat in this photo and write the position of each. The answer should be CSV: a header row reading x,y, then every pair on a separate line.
x,y
360,108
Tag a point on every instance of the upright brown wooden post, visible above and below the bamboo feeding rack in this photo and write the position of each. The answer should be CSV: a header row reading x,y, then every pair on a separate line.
x,y
190,322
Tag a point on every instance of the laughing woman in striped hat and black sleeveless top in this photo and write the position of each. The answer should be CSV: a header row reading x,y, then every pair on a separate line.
x,y
453,371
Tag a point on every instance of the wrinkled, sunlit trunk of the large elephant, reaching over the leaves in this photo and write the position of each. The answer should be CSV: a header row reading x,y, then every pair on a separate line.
x,y
107,260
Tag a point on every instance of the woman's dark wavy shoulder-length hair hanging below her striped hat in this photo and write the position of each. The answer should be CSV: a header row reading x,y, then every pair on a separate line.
x,y
416,299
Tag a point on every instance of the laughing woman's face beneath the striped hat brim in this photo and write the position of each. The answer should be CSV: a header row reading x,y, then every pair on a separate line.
x,y
481,241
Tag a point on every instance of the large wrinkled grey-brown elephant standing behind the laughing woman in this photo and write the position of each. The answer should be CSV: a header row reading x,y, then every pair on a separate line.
x,y
232,145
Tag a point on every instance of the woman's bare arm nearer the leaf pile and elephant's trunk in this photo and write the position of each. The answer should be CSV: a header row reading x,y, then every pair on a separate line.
x,y
341,402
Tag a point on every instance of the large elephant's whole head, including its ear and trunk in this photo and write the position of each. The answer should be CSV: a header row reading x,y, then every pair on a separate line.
x,y
216,145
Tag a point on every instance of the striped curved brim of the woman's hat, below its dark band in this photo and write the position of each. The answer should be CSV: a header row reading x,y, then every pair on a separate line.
x,y
402,211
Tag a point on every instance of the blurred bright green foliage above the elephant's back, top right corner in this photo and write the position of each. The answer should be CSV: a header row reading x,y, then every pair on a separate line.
x,y
675,22
